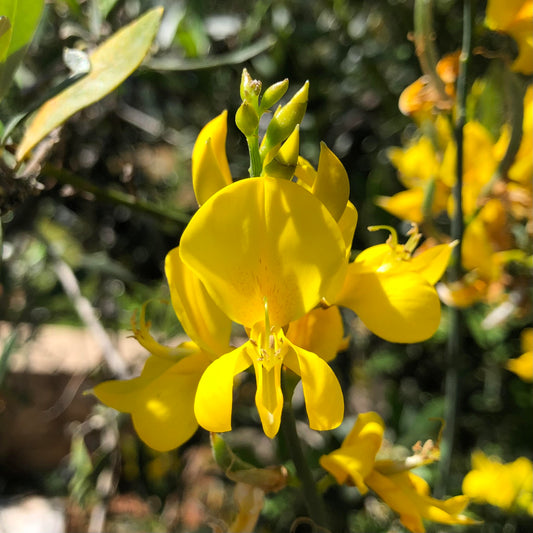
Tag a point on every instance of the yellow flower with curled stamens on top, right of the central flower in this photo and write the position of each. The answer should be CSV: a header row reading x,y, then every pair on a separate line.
x,y
393,292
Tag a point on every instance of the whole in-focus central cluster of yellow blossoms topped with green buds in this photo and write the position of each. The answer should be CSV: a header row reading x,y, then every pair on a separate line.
x,y
271,252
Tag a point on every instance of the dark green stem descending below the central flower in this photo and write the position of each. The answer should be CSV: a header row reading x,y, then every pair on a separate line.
x,y
313,501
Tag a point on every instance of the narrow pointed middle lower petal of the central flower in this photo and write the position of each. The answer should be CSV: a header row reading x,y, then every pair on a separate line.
x,y
269,397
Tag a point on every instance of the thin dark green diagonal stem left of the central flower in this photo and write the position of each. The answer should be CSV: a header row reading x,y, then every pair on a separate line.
x,y
113,196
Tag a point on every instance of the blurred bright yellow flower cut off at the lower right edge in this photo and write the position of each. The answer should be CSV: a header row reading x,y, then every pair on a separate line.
x,y
505,485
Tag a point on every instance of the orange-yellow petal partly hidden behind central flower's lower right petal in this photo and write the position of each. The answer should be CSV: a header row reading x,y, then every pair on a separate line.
x,y
320,331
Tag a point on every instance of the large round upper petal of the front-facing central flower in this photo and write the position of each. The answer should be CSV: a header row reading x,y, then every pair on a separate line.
x,y
265,238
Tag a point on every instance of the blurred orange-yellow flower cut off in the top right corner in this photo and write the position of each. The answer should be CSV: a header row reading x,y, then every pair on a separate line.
x,y
514,17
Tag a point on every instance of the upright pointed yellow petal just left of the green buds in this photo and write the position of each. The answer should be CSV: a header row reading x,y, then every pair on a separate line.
x,y
210,168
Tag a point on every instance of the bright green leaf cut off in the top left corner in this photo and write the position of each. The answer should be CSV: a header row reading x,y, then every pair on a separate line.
x,y
18,21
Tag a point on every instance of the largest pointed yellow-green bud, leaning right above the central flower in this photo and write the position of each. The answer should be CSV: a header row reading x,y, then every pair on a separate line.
x,y
285,120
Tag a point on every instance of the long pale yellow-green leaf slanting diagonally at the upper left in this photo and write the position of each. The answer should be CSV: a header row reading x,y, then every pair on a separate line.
x,y
111,63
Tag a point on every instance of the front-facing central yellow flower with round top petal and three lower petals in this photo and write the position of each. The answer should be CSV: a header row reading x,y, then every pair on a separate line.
x,y
267,252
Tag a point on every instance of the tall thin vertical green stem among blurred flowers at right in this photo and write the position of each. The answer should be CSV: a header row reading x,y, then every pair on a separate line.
x,y
455,340
